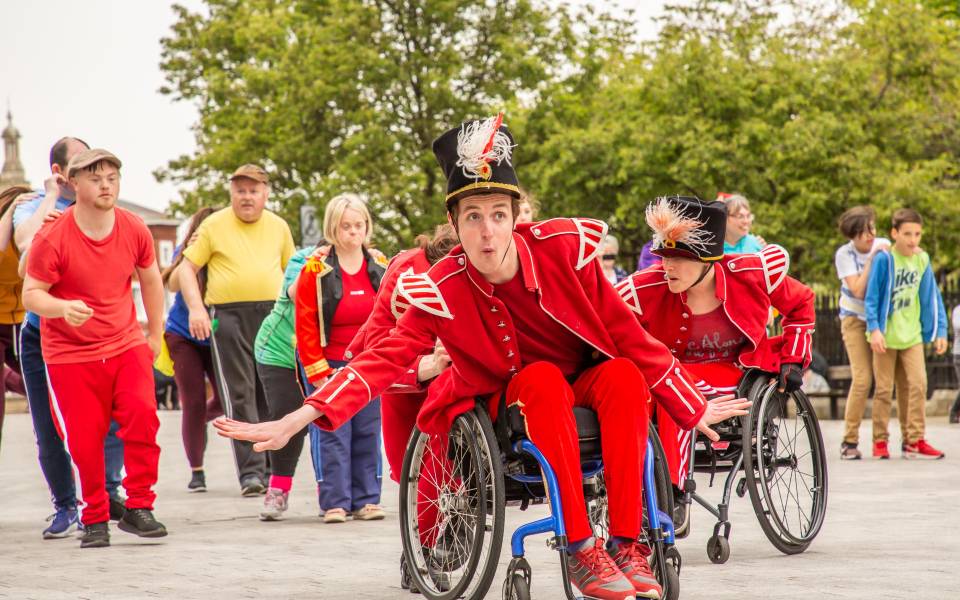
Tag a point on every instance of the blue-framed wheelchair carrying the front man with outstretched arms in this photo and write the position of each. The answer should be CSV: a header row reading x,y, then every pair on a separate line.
x,y
453,493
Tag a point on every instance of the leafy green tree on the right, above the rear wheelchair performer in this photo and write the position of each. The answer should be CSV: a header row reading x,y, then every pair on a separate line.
x,y
807,108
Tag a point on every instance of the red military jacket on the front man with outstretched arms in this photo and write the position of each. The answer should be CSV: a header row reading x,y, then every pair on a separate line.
x,y
453,302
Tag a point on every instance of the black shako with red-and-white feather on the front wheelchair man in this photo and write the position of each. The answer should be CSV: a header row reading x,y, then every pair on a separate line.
x,y
475,157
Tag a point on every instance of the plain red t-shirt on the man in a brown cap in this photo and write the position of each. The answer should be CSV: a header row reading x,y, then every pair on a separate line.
x,y
99,273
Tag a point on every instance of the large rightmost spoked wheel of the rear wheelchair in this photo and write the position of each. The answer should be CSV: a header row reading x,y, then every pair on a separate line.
x,y
785,468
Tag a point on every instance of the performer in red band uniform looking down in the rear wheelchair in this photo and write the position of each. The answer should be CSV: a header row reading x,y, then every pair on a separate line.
x,y
711,310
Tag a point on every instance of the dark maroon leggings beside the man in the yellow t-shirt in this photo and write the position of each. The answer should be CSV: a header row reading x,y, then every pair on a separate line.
x,y
191,362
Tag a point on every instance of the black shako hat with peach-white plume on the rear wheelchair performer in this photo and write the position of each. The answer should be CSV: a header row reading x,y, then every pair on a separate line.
x,y
687,226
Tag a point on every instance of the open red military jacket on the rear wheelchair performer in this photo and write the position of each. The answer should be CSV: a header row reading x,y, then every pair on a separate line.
x,y
747,286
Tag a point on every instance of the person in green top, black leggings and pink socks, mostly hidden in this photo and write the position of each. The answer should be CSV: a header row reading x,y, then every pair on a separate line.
x,y
275,352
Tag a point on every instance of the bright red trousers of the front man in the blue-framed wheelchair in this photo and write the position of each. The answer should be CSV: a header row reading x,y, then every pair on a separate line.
x,y
616,390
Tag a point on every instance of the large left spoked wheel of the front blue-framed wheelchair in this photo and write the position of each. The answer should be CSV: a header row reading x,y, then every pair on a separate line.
x,y
452,509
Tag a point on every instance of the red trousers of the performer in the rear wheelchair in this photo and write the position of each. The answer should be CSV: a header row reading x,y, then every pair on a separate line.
x,y
712,379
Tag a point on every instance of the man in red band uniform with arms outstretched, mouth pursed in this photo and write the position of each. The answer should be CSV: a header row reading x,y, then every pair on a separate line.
x,y
530,311
